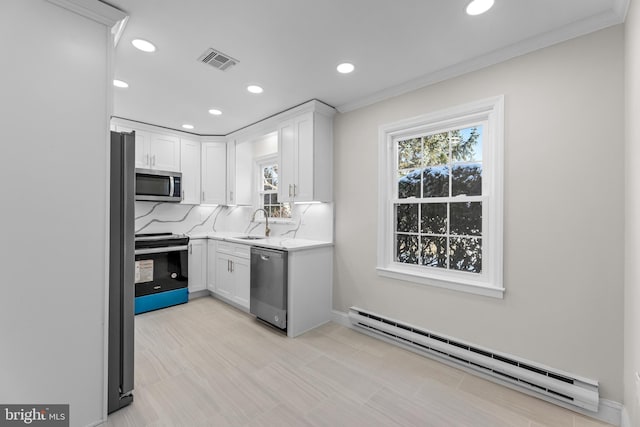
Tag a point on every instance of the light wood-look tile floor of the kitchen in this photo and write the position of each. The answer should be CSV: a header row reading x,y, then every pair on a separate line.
x,y
207,364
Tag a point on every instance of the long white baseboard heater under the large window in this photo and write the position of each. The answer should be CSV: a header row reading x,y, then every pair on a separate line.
x,y
552,385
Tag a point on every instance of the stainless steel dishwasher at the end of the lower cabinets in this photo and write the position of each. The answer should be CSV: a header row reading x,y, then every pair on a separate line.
x,y
268,298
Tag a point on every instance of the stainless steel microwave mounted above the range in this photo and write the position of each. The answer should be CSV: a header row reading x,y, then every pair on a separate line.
x,y
158,186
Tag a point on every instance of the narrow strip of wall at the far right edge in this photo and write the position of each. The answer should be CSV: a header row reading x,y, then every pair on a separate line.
x,y
632,223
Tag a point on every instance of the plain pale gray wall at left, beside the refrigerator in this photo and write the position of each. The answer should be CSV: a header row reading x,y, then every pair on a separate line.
x,y
53,170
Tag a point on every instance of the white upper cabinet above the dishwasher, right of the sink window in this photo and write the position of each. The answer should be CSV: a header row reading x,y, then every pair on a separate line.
x,y
305,148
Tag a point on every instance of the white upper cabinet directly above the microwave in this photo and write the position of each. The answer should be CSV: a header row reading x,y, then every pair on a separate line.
x,y
155,151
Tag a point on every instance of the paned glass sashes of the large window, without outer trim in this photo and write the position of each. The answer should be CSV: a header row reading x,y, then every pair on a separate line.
x,y
438,208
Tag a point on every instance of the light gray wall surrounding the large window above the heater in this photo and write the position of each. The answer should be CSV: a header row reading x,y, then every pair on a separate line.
x,y
564,189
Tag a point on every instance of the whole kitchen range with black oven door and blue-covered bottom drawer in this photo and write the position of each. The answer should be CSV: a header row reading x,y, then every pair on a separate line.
x,y
161,271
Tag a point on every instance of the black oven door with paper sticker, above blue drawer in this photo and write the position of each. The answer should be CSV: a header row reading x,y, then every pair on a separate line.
x,y
160,269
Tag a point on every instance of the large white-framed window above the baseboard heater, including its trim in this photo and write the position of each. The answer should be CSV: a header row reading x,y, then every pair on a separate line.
x,y
441,198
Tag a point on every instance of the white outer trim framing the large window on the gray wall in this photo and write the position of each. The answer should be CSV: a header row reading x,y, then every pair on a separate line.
x,y
490,281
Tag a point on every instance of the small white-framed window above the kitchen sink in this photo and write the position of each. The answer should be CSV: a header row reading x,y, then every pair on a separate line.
x,y
267,185
